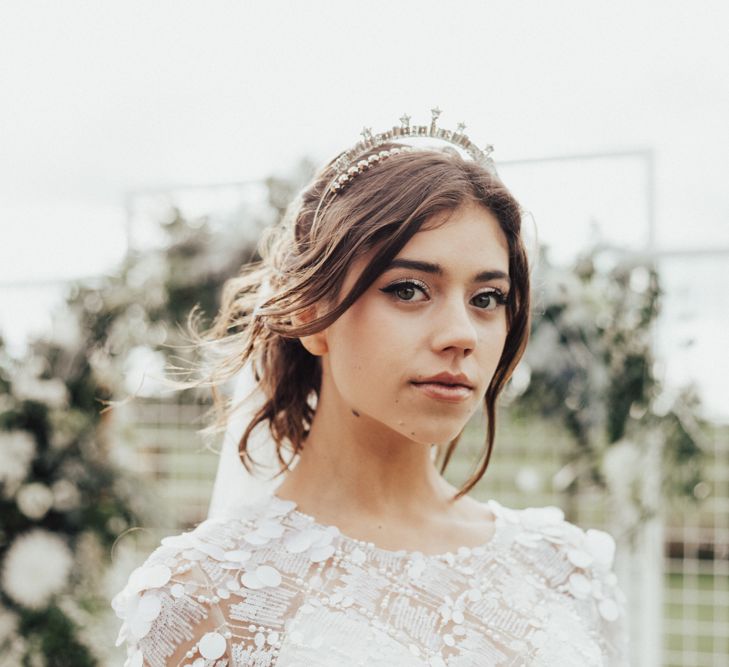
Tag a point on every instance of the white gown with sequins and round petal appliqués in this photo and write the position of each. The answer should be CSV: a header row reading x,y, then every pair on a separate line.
x,y
271,586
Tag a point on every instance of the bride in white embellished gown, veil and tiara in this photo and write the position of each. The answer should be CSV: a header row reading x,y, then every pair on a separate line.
x,y
391,304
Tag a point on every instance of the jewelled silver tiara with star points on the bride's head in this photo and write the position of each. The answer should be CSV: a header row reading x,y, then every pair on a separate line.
x,y
347,166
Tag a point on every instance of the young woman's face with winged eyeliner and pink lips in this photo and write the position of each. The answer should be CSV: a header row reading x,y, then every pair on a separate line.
x,y
439,308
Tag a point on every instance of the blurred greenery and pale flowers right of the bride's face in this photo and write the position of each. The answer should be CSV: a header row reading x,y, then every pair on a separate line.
x,y
590,367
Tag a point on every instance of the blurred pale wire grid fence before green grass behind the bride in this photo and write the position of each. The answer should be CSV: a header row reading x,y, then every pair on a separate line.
x,y
693,628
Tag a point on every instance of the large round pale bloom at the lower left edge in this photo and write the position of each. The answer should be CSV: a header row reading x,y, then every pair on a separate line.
x,y
36,567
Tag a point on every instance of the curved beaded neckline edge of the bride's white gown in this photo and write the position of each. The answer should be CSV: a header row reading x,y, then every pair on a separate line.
x,y
460,553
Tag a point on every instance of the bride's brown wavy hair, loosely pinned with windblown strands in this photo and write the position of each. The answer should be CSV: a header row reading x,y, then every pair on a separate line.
x,y
305,259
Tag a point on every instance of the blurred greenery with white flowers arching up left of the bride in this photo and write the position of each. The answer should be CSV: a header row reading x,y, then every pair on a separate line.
x,y
66,493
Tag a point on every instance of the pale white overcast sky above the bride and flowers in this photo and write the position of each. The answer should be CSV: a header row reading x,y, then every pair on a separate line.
x,y
102,98
